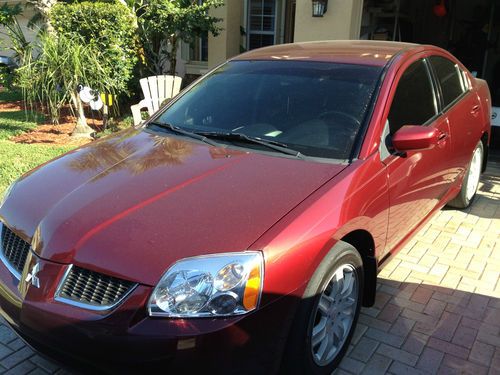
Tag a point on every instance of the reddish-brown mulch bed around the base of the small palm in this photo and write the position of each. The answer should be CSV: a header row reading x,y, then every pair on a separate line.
x,y
48,133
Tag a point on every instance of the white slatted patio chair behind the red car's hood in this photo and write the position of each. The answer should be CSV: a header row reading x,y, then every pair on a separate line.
x,y
156,90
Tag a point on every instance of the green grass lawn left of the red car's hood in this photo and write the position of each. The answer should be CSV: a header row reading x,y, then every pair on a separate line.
x,y
15,158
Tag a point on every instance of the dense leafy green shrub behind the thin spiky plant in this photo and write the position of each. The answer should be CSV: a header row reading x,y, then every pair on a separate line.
x,y
109,28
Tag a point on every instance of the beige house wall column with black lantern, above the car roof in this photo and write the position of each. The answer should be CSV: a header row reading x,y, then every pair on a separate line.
x,y
341,21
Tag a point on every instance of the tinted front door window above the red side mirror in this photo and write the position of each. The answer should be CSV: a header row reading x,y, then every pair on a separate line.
x,y
413,102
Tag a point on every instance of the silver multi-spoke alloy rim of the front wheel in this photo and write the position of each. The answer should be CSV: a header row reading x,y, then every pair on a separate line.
x,y
334,315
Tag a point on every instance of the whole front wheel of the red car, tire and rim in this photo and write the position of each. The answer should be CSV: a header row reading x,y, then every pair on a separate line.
x,y
327,314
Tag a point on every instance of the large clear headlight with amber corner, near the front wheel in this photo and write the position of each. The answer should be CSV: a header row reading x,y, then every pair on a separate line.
x,y
208,286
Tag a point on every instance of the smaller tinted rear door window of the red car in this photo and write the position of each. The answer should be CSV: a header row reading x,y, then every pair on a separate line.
x,y
450,78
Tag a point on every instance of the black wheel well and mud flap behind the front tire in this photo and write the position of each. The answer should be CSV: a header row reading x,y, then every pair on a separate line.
x,y
364,243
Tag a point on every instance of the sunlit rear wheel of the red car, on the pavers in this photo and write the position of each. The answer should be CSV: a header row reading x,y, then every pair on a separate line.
x,y
471,180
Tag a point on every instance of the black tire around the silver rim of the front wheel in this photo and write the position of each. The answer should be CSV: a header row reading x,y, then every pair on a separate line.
x,y
299,358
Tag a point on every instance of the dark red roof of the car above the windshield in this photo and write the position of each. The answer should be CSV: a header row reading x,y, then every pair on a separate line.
x,y
365,52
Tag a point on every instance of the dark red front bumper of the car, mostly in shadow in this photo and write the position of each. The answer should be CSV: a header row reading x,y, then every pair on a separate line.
x,y
126,339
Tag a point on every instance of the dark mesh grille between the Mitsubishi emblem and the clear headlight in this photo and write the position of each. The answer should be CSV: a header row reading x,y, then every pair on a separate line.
x,y
93,288
